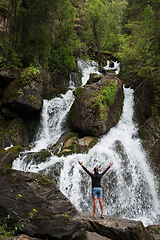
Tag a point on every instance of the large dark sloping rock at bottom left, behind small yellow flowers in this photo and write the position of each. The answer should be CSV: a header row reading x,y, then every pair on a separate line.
x,y
54,215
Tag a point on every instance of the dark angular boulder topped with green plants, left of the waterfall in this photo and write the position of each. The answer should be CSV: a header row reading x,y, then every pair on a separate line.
x,y
24,94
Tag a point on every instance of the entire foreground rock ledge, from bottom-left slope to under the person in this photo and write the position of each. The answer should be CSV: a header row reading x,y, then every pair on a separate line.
x,y
53,216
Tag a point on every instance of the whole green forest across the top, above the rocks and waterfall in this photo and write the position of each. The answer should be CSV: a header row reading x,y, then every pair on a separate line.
x,y
52,34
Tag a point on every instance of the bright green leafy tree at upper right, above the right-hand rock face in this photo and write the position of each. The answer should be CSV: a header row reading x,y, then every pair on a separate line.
x,y
138,47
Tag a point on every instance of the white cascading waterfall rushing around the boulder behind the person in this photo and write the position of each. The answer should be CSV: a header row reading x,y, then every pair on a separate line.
x,y
128,187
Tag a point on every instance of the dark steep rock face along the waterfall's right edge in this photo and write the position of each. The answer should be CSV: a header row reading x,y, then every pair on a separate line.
x,y
149,130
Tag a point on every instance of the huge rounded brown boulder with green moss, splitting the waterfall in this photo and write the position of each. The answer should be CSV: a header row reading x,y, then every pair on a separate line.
x,y
97,106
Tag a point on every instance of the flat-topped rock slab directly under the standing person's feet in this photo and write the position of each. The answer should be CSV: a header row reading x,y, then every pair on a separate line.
x,y
117,229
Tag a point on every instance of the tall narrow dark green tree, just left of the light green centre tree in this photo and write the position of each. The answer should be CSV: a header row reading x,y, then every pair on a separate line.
x,y
65,41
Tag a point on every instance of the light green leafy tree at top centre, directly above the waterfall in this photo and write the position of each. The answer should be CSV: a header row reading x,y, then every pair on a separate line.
x,y
101,20
